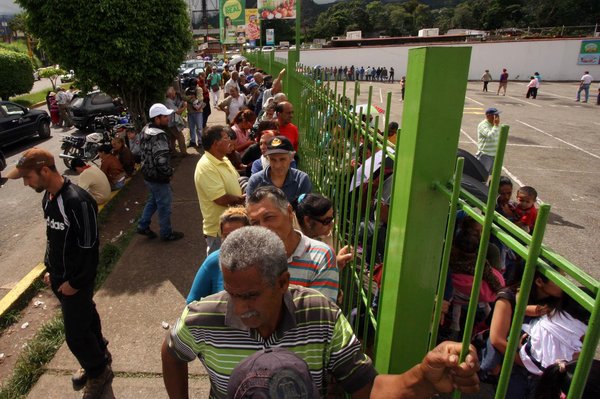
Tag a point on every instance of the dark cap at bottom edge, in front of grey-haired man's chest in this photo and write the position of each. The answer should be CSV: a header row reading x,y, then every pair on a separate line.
x,y
274,373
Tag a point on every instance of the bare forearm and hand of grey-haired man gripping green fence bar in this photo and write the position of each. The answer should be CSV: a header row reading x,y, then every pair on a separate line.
x,y
439,371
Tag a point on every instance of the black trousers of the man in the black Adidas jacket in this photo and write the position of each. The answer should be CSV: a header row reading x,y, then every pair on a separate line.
x,y
83,330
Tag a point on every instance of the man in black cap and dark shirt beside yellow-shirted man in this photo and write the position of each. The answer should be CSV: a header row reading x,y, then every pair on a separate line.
x,y
279,173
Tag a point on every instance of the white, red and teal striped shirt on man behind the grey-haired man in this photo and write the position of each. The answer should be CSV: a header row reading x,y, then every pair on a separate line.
x,y
313,264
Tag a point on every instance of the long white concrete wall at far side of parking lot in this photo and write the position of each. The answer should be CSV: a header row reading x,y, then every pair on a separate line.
x,y
553,59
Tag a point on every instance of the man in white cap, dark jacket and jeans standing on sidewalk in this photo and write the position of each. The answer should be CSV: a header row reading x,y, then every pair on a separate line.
x,y
157,171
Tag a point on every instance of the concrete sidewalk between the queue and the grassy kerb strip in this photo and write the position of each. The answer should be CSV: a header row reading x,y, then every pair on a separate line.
x,y
147,287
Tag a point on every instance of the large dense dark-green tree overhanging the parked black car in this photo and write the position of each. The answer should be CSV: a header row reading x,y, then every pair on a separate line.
x,y
128,48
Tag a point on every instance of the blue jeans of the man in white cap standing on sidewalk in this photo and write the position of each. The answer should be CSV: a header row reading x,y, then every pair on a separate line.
x,y
159,198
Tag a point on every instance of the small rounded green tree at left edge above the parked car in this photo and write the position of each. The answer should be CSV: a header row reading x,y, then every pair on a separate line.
x,y
16,74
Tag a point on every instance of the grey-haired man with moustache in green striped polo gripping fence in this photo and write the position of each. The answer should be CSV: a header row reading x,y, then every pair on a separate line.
x,y
259,310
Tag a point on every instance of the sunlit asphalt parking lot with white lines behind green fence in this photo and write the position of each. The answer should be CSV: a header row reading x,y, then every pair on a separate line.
x,y
553,145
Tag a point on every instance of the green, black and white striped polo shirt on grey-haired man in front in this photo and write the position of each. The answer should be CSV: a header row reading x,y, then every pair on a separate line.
x,y
311,326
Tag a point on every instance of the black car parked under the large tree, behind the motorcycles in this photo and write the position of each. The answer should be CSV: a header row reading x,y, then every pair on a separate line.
x,y
96,103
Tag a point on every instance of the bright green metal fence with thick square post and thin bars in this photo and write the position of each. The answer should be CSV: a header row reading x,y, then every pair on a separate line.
x,y
393,289
